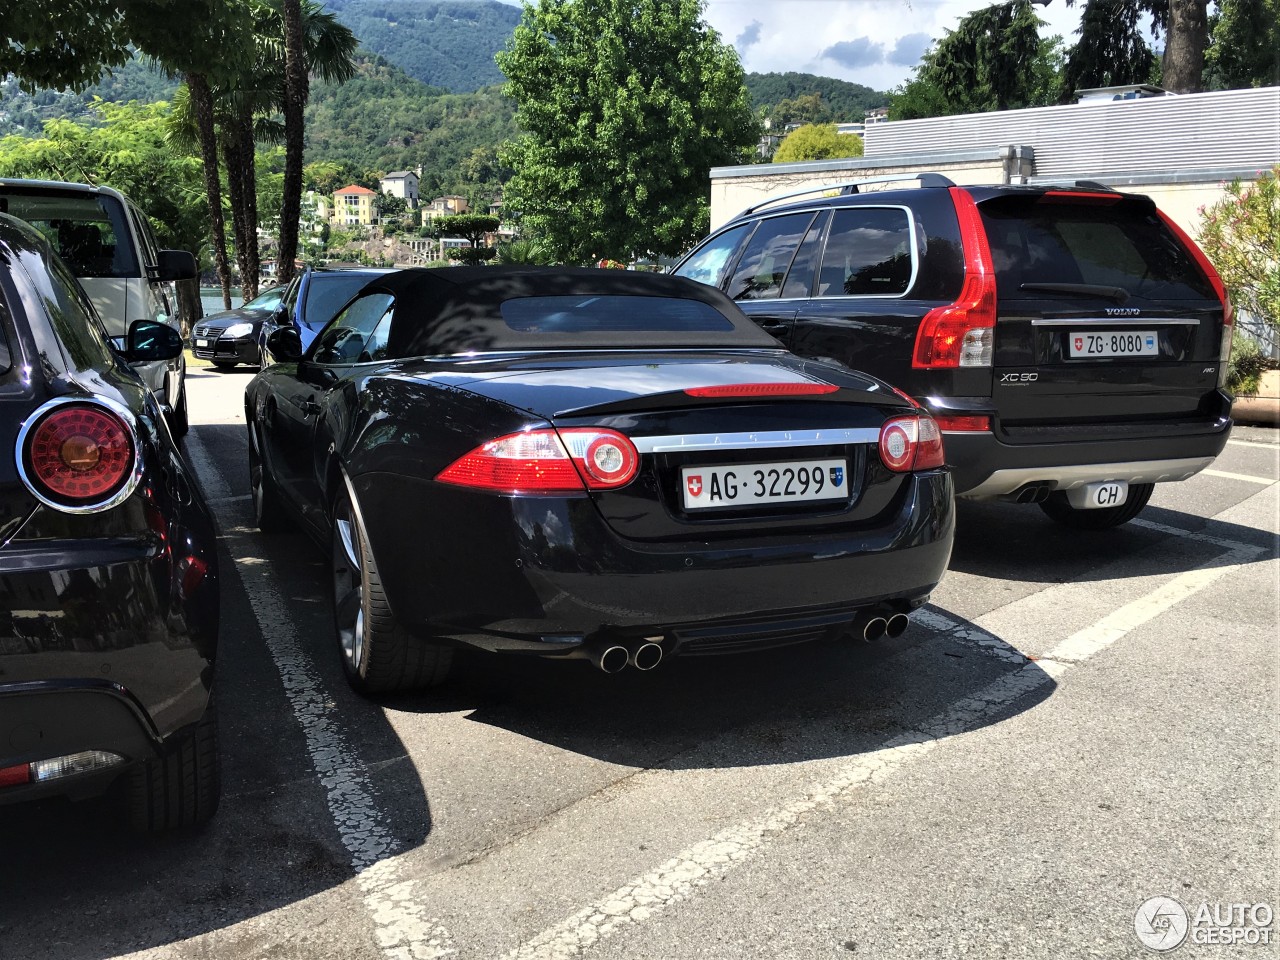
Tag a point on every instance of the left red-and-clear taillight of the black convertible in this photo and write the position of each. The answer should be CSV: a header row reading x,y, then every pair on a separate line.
x,y
546,461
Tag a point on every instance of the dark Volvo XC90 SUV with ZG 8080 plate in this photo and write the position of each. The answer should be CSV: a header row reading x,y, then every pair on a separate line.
x,y
1072,342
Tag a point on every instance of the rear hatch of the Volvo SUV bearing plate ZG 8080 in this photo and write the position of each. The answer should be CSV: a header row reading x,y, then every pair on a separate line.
x,y
1110,322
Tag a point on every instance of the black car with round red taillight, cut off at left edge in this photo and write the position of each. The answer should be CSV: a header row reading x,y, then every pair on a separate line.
x,y
108,566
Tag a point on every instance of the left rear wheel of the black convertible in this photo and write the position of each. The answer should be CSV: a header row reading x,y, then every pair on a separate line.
x,y
378,655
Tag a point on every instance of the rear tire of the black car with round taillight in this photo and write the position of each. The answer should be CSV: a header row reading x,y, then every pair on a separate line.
x,y
181,788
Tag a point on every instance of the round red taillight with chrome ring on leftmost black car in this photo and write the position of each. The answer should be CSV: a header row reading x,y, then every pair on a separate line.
x,y
79,456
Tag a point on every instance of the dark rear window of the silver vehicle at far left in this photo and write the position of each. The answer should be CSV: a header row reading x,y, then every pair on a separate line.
x,y
89,231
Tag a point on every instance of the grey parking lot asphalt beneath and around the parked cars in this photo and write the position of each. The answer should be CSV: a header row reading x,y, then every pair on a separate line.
x,y
1075,725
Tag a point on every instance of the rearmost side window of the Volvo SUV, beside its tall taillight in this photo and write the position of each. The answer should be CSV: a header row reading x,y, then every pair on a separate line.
x,y
868,253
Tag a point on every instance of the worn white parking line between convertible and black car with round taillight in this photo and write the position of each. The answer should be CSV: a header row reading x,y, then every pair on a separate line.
x,y
403,929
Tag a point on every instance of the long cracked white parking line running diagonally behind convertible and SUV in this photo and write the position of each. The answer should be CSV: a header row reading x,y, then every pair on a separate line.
x,y
680,877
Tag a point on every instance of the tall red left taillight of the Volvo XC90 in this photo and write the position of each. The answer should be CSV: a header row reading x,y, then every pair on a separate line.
x,y
963,333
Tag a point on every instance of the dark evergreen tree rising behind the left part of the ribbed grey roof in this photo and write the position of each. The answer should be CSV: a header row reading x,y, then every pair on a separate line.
x,y
995,60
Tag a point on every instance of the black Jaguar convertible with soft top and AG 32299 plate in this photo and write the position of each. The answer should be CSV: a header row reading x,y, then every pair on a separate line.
x,y
589,464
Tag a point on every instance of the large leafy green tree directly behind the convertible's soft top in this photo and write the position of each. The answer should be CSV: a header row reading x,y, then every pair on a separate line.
x,y
627,106
